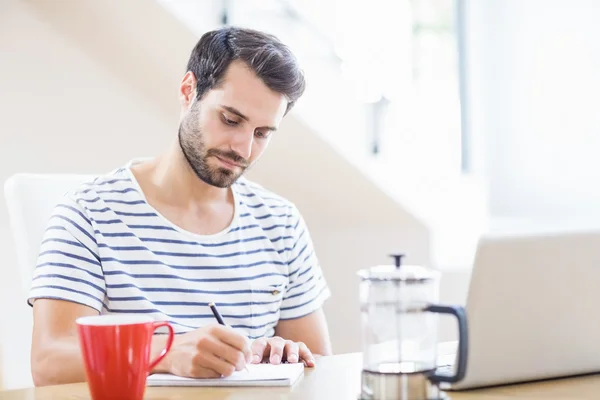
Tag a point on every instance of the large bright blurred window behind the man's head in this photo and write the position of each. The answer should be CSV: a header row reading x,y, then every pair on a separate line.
x,y
400,59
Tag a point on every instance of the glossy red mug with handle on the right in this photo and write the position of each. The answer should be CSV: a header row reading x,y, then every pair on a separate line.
x,y
116,354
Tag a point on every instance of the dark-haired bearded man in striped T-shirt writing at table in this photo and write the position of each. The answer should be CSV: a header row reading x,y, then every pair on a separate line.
x,y
167,236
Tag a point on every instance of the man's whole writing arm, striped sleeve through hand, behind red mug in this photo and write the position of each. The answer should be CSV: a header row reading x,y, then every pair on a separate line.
x,y
68,283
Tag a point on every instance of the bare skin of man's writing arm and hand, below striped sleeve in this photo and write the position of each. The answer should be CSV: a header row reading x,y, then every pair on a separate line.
x,y
208,352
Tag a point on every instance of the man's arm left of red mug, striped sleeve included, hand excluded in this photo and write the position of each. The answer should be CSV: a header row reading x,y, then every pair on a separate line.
x,y
68,282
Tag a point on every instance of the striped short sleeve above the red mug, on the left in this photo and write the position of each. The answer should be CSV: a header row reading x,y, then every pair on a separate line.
x,y
68,266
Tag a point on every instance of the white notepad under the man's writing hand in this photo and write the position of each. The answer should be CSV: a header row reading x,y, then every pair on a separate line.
x,y
257,375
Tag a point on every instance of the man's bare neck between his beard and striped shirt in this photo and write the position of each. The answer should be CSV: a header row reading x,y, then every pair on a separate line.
x,y
172,174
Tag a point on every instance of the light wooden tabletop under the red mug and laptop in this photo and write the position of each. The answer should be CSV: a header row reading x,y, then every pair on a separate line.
x,y
334,378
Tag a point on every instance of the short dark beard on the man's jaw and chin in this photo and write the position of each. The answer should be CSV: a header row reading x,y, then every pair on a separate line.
x,y
197,155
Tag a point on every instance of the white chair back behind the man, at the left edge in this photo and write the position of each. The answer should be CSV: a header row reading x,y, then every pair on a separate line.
x,y
30,199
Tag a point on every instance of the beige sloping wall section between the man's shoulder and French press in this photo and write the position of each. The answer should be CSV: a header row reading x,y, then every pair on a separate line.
x,y
353,223
